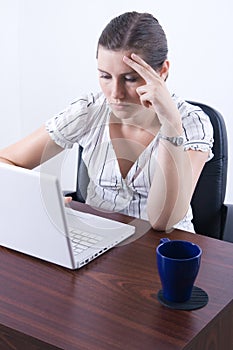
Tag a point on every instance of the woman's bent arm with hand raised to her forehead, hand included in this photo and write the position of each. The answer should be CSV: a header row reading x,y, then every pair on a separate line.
x,y
177,170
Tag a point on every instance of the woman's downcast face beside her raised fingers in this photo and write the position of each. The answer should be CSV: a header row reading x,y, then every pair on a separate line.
x,y
118,82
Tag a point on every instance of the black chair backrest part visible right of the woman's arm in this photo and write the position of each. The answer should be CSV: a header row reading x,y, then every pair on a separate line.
x,y
208,198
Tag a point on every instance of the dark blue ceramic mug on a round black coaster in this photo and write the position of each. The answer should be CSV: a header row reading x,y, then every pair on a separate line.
x,y
178,265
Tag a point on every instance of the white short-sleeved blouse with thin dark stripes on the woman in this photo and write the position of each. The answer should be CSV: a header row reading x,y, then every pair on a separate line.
x,y
86,122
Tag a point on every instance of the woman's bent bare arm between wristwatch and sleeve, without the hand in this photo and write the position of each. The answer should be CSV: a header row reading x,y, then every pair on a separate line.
x,y
174,181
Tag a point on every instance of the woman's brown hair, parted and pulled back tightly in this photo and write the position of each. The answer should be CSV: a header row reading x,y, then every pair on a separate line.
x,y
137,32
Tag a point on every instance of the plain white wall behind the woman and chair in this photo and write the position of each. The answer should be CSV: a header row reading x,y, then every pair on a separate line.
x,y
47,57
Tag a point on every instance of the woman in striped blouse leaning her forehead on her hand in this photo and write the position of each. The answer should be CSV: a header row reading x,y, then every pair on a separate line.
x,y
144,148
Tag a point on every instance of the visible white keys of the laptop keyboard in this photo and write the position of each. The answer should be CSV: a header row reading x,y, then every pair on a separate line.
x,y
83,240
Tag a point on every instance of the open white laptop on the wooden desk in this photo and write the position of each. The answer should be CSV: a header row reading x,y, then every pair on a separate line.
x,y
35,221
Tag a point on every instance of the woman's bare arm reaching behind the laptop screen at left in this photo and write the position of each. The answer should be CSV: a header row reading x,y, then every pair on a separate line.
x,y
31,151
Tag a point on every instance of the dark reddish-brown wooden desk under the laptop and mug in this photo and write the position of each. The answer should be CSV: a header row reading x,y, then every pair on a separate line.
x,y
111,303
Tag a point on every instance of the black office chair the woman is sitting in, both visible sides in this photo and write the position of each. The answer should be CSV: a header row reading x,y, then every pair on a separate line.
x,y
211,217
